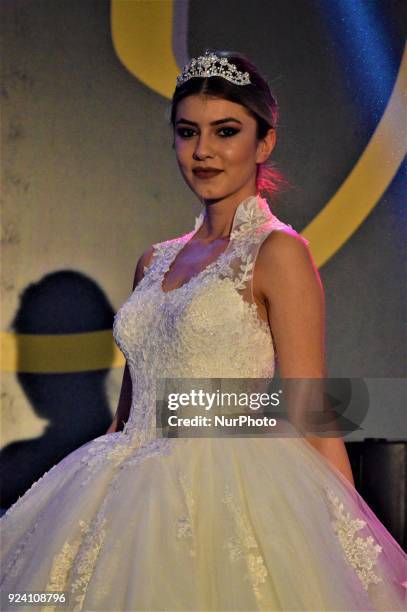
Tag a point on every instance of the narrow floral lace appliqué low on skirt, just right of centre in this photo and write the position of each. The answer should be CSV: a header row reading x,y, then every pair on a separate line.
x,y
243,545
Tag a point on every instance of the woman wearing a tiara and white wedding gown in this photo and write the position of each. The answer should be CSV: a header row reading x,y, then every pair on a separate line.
x,y
133,521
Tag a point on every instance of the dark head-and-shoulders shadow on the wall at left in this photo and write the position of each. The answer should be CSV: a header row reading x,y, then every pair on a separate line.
x,y
75,404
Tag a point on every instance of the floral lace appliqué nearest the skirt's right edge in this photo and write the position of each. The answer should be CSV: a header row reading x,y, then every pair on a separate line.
x,y
361,552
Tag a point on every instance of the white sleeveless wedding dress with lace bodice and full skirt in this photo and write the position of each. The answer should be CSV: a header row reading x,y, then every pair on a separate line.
x,y
132,521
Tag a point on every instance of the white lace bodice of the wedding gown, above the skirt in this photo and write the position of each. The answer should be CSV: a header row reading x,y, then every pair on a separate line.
x,y
209,327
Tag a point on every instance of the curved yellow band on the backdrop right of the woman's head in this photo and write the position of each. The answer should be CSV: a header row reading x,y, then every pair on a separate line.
x,y
368,180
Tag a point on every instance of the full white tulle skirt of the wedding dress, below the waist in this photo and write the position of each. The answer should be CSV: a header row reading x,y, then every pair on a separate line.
x,y
200,524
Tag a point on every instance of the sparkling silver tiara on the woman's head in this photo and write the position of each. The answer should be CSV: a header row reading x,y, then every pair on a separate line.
x,y
211,64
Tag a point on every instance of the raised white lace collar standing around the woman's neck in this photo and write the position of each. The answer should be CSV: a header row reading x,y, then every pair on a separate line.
x,y
250,213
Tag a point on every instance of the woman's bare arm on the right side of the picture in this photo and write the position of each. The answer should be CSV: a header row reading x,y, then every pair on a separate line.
x,y
291,288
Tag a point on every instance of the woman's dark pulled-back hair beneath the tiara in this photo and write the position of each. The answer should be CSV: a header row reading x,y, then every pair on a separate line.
x,y
256,97
